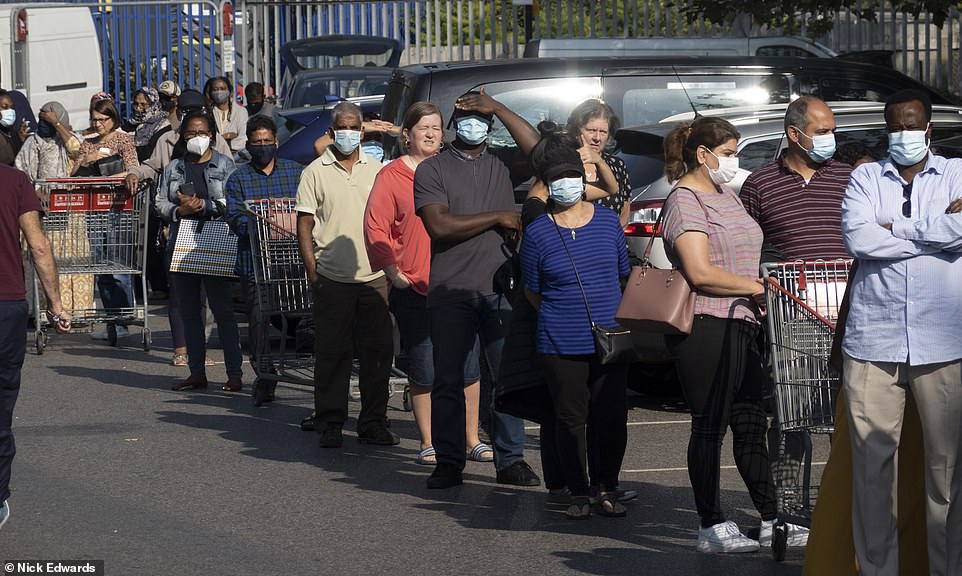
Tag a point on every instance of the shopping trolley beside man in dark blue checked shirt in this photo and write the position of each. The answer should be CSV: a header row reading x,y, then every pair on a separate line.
x,y
284,296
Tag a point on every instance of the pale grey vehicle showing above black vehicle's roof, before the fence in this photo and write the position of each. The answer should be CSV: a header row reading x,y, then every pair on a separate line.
x,y
790,46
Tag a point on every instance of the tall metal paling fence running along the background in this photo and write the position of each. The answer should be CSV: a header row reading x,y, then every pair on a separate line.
x,y
148,41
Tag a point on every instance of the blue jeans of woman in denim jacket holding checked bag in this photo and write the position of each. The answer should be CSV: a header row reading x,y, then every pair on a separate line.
x,y
188,288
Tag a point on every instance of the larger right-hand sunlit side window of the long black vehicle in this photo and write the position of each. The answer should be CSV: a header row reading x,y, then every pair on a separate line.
x,y
650,99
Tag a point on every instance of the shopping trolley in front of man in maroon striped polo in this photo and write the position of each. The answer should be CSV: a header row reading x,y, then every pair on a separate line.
x,y
803,300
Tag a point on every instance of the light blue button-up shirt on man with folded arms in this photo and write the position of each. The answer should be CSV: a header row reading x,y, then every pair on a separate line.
x,y
906,296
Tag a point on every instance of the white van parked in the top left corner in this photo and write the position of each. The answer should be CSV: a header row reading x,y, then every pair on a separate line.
x,y
51,53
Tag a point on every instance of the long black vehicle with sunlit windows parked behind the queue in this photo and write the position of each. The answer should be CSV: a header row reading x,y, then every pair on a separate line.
x,y
640,90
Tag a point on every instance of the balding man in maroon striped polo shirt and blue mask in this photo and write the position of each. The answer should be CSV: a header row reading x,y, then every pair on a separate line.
x,y
797,199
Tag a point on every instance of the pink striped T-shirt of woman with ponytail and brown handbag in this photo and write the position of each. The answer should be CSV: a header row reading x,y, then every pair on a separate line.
x,y
734,242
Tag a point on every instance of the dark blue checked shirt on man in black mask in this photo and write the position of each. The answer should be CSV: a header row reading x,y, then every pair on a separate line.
x,y
249,183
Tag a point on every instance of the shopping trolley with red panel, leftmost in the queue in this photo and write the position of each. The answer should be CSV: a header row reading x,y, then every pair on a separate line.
x,y
95,226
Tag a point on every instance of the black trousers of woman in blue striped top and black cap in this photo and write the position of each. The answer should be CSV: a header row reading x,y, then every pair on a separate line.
x,y
582,388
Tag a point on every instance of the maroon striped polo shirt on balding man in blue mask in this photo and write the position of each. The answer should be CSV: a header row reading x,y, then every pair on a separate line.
x,y
803,221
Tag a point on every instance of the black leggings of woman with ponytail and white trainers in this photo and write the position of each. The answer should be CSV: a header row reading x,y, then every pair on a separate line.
x,y
723,380
